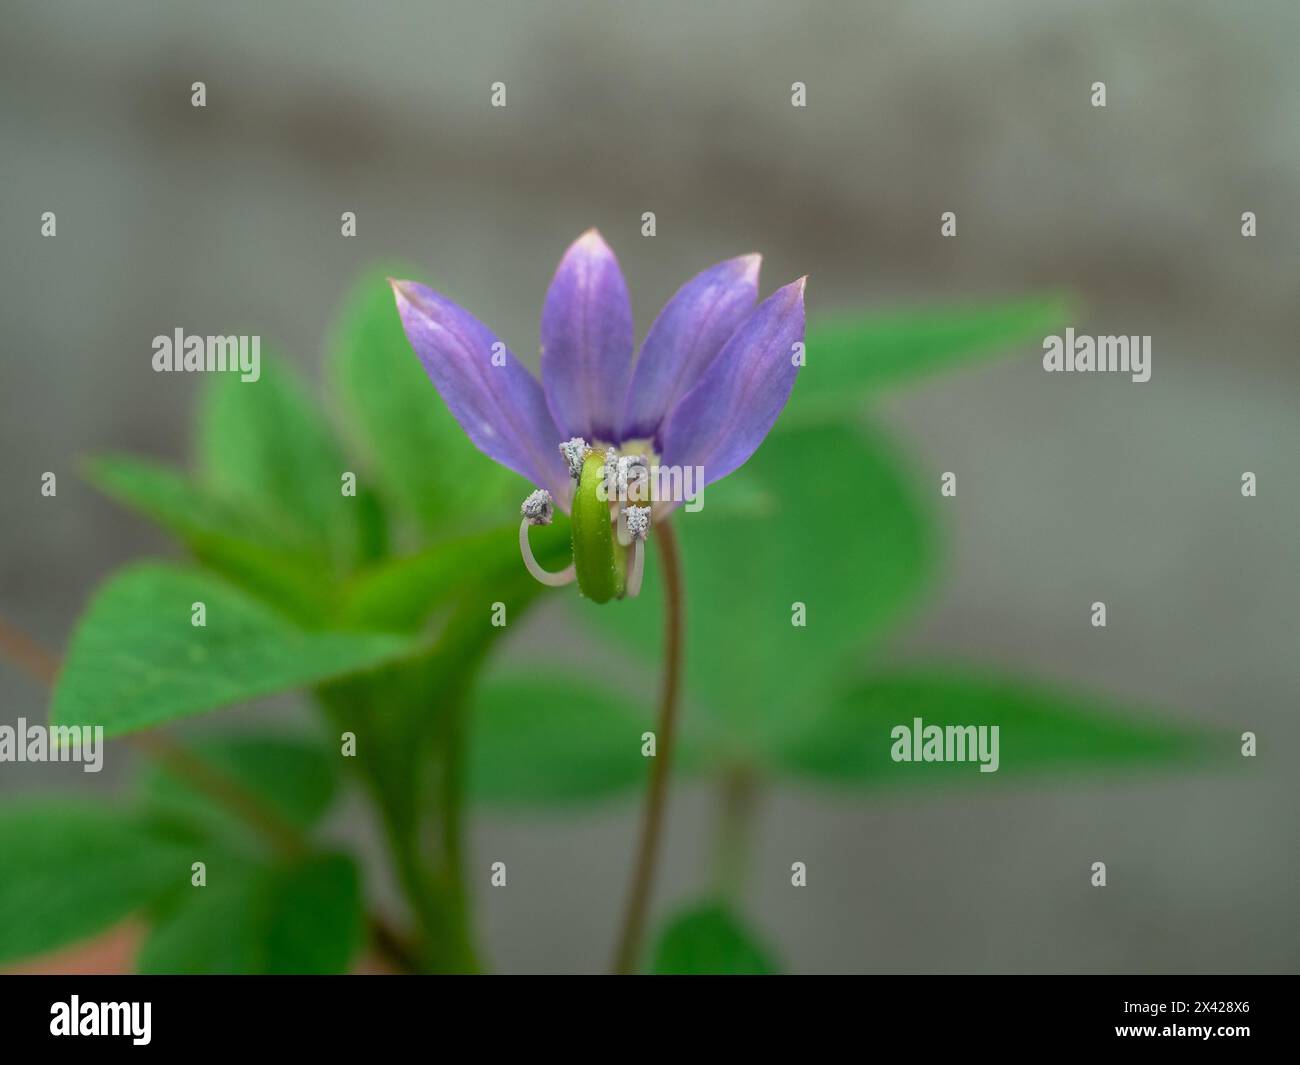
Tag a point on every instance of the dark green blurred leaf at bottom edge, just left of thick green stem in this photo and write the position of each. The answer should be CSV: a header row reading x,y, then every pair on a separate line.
x,y
305,919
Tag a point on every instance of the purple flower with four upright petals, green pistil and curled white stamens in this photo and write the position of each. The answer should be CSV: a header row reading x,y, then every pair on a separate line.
x,y
713,375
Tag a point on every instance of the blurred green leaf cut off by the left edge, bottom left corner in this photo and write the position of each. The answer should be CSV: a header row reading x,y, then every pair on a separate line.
x,y
73,869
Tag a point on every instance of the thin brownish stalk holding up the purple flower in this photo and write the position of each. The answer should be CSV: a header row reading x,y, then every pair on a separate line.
x,y
652,821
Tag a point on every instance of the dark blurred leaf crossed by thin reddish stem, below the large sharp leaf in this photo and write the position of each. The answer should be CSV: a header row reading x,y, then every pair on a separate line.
x,y
296,777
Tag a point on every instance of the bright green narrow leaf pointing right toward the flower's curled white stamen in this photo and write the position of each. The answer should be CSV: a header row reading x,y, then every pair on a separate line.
x,y
401,594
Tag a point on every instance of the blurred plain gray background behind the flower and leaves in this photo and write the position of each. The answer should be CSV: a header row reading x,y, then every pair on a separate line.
x,y
1072,490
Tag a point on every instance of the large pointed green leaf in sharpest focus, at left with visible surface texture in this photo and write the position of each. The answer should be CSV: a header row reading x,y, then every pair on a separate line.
x,y
137,661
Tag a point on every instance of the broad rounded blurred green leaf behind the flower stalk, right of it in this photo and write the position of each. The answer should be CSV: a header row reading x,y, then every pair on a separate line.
x,y
830,521
